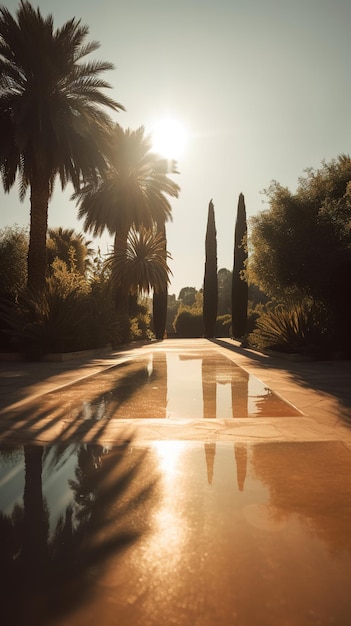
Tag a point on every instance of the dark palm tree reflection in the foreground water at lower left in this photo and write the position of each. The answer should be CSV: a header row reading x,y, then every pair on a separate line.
x,y
55,574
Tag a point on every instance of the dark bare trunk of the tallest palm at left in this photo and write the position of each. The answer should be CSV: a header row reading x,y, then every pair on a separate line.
x,y
39,200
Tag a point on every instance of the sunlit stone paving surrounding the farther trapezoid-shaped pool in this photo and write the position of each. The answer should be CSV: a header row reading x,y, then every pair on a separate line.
x,y
321,391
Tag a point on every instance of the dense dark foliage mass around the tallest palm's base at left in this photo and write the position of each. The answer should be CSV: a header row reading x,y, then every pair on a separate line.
x,y
74,312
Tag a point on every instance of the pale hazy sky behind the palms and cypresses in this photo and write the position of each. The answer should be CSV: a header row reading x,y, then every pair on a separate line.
x,y
262,89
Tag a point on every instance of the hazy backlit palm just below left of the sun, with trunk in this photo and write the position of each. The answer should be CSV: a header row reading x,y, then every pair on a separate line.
x,y
132,193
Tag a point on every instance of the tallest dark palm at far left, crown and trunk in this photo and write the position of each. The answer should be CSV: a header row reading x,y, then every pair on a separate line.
x,y
52,115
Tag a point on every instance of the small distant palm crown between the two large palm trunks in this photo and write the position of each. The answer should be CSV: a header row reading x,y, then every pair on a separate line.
x,y
70,247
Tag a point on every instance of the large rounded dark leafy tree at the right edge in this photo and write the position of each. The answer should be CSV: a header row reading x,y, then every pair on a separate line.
x,y
301,245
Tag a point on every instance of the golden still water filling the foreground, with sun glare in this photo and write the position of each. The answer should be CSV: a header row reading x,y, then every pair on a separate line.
x,y
176,533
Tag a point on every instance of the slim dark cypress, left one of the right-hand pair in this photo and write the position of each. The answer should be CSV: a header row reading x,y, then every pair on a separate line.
x,y
209,312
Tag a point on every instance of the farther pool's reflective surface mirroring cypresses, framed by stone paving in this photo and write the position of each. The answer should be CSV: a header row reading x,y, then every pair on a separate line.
x,y
168,385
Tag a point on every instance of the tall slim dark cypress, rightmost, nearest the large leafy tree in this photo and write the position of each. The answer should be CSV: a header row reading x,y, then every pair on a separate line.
x,y
239,285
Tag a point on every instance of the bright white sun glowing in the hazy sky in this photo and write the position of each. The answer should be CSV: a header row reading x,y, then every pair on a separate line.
x,y
169,138
